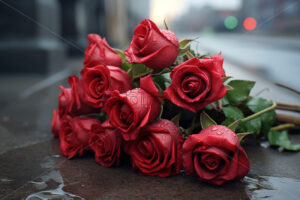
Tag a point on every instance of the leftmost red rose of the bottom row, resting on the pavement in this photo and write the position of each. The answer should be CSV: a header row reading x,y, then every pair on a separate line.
x,y
74,135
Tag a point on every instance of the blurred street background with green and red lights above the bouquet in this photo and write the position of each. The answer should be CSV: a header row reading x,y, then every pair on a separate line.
x,y
43,41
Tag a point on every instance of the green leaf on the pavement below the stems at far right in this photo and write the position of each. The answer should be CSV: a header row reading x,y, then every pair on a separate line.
x,y
281,138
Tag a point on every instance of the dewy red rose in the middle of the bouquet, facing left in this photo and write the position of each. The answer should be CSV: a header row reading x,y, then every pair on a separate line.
x,y
131,111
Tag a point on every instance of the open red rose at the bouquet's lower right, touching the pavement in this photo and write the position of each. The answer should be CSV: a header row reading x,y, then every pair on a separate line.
x,y
215,155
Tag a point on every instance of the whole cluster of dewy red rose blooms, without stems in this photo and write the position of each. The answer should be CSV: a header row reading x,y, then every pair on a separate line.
x,y
131,112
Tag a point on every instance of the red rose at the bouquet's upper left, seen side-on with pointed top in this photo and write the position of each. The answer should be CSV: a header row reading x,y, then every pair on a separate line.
x,y
99,52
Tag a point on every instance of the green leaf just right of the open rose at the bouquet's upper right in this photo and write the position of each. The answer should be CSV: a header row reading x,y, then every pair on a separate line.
x,y
241,90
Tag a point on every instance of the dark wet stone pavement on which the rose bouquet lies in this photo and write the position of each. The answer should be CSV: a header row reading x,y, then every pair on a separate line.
x,y
31,166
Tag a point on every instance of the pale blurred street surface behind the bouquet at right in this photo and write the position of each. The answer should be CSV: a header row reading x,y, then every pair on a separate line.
x,y
279,63
